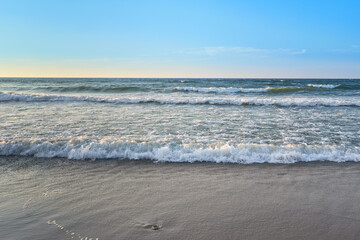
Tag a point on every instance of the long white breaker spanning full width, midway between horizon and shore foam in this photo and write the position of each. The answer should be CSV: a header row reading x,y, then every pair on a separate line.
x,y
288,102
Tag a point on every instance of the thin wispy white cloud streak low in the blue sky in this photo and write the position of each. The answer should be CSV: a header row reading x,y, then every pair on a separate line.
x,y
212,51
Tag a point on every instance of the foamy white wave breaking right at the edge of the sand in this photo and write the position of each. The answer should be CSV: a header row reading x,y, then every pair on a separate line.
x,y
243,153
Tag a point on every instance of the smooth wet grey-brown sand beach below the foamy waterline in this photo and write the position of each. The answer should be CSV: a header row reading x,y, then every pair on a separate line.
x,y
64,199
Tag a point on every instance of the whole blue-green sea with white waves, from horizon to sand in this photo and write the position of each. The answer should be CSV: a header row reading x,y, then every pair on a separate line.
x,y
181,120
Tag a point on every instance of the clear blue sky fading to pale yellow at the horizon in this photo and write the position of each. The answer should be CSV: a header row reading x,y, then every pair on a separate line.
x,y
139,38
